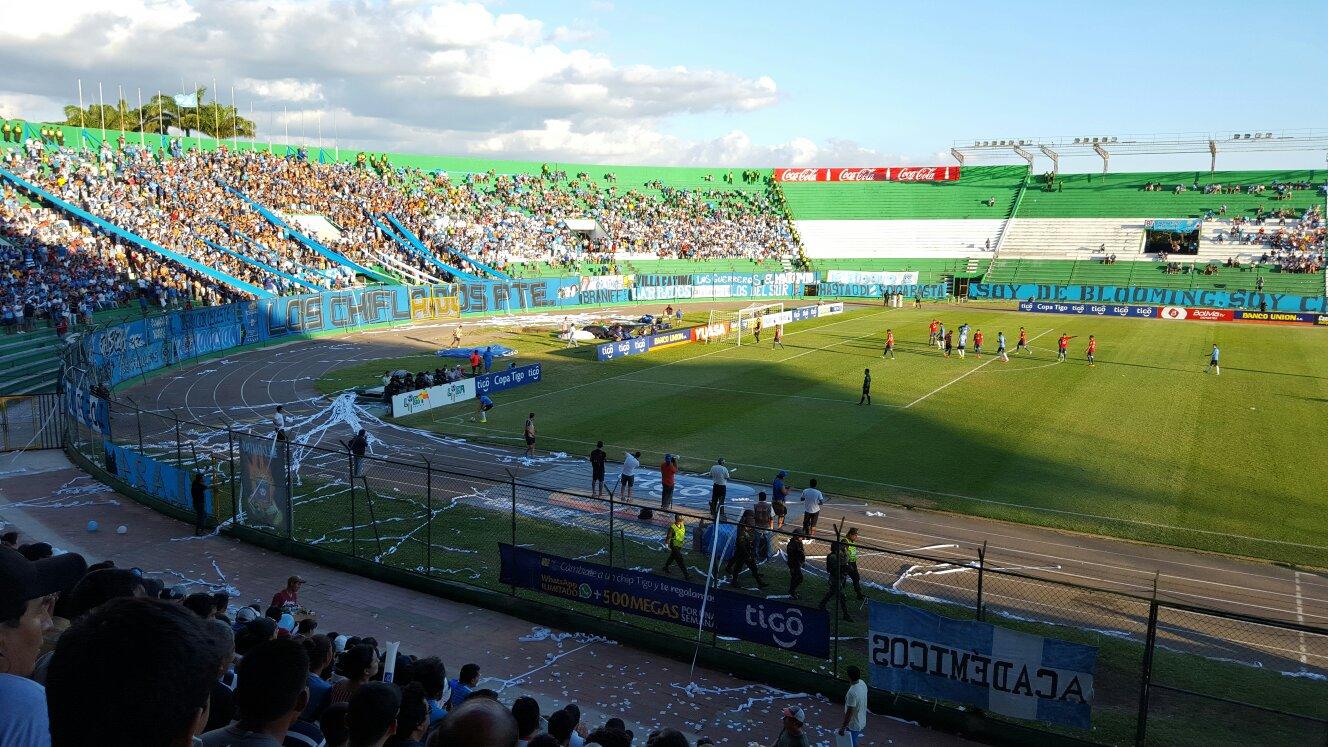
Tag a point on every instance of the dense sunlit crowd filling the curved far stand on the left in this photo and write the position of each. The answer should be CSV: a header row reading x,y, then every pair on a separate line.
x,y
184,201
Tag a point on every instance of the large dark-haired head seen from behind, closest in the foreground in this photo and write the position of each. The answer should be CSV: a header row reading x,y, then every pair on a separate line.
x,y
133,673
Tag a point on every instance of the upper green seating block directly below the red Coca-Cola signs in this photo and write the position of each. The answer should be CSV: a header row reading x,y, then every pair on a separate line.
x,y
878,201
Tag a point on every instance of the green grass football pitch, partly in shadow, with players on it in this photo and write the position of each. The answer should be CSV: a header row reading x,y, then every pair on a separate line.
x,y
1144,445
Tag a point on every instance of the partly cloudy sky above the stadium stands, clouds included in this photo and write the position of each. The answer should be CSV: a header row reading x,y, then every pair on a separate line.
x,y
697,83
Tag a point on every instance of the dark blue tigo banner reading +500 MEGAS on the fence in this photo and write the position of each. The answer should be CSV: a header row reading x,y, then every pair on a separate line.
x,y
771,623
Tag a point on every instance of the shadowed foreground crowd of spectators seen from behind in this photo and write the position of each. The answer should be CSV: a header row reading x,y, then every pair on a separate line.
x,y
98,655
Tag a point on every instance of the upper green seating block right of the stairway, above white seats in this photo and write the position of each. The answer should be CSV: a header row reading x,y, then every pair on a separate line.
x,y
1123,196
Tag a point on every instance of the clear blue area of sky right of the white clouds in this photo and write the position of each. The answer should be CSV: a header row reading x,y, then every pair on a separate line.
x,y
910,78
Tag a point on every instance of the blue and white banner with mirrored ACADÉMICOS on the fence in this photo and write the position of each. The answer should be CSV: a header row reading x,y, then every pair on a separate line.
x,y
1011,673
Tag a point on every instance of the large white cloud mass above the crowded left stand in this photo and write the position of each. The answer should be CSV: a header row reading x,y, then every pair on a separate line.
x,y
411,76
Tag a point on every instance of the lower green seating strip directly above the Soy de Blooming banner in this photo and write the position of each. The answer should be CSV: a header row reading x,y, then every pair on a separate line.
x,y
1152,276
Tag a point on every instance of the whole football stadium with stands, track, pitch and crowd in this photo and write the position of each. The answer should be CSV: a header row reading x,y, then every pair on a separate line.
x,y
971,450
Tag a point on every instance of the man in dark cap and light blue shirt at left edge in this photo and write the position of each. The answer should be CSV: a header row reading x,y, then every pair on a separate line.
x,y
29,593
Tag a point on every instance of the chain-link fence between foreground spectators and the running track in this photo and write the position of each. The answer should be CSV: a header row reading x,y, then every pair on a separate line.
x,y
1165,673
